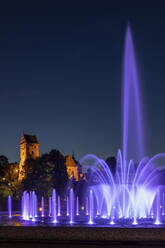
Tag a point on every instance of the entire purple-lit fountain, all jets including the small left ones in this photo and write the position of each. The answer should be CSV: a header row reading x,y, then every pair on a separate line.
x,y
129,196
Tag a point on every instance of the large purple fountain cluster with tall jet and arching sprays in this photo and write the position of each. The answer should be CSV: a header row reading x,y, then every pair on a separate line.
x,y
131,193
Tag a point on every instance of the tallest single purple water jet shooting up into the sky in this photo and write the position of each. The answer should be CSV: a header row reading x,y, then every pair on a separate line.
x,y
133,136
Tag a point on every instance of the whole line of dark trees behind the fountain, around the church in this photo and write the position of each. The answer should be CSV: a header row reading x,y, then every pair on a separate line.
x,y
45,173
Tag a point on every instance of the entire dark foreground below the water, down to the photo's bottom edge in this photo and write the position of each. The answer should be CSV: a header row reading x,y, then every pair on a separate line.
x,y
20,236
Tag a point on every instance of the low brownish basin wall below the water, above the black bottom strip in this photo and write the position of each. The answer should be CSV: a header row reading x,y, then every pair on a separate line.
x,y
80,234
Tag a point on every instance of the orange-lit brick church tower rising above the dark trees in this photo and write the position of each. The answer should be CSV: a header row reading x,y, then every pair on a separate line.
x,y
29,149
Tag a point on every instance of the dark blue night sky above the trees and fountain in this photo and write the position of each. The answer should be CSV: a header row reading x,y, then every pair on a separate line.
x,y
61,74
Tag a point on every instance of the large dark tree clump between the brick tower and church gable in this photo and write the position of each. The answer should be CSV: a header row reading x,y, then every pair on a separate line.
x,y
45,173
